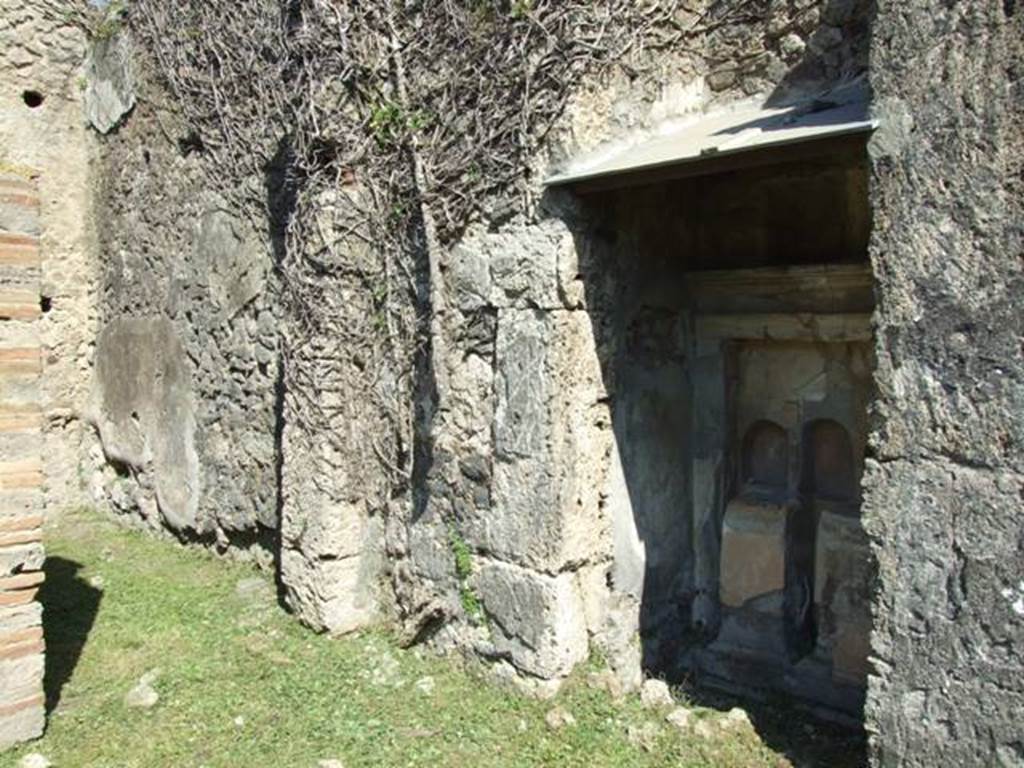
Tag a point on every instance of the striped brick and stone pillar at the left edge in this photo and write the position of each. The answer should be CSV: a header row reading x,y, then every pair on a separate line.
x,y
22,701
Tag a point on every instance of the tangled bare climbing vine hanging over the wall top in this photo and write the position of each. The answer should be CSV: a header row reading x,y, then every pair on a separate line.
x,y
369,135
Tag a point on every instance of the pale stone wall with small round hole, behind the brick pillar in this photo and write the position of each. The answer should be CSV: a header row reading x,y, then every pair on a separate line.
x,y
41,127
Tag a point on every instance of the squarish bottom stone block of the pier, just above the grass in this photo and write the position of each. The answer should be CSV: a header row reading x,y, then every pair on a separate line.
x,y
539,621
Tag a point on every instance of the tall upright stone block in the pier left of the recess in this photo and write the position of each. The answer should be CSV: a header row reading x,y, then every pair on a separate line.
x,y
552,443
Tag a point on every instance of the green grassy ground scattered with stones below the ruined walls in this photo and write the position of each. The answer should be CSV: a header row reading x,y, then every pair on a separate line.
x,y
242,685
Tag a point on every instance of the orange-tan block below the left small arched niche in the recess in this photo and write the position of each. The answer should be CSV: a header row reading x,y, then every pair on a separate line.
x,y
753,562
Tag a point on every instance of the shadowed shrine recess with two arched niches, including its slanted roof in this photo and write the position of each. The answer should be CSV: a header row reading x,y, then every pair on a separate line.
x,y
732,298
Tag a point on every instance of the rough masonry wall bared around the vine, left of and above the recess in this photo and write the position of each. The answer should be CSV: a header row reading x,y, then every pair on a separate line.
x,y
201,436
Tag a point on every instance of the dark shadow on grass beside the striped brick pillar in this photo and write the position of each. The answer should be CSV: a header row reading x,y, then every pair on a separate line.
x,y
70,608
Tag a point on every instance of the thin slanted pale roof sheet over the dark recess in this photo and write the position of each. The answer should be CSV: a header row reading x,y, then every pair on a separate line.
x,y
740,130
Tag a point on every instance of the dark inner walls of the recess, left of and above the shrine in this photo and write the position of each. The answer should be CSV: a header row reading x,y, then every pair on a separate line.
x,y
648,243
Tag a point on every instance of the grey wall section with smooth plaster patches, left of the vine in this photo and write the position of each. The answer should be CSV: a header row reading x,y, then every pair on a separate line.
x,y
187,371
